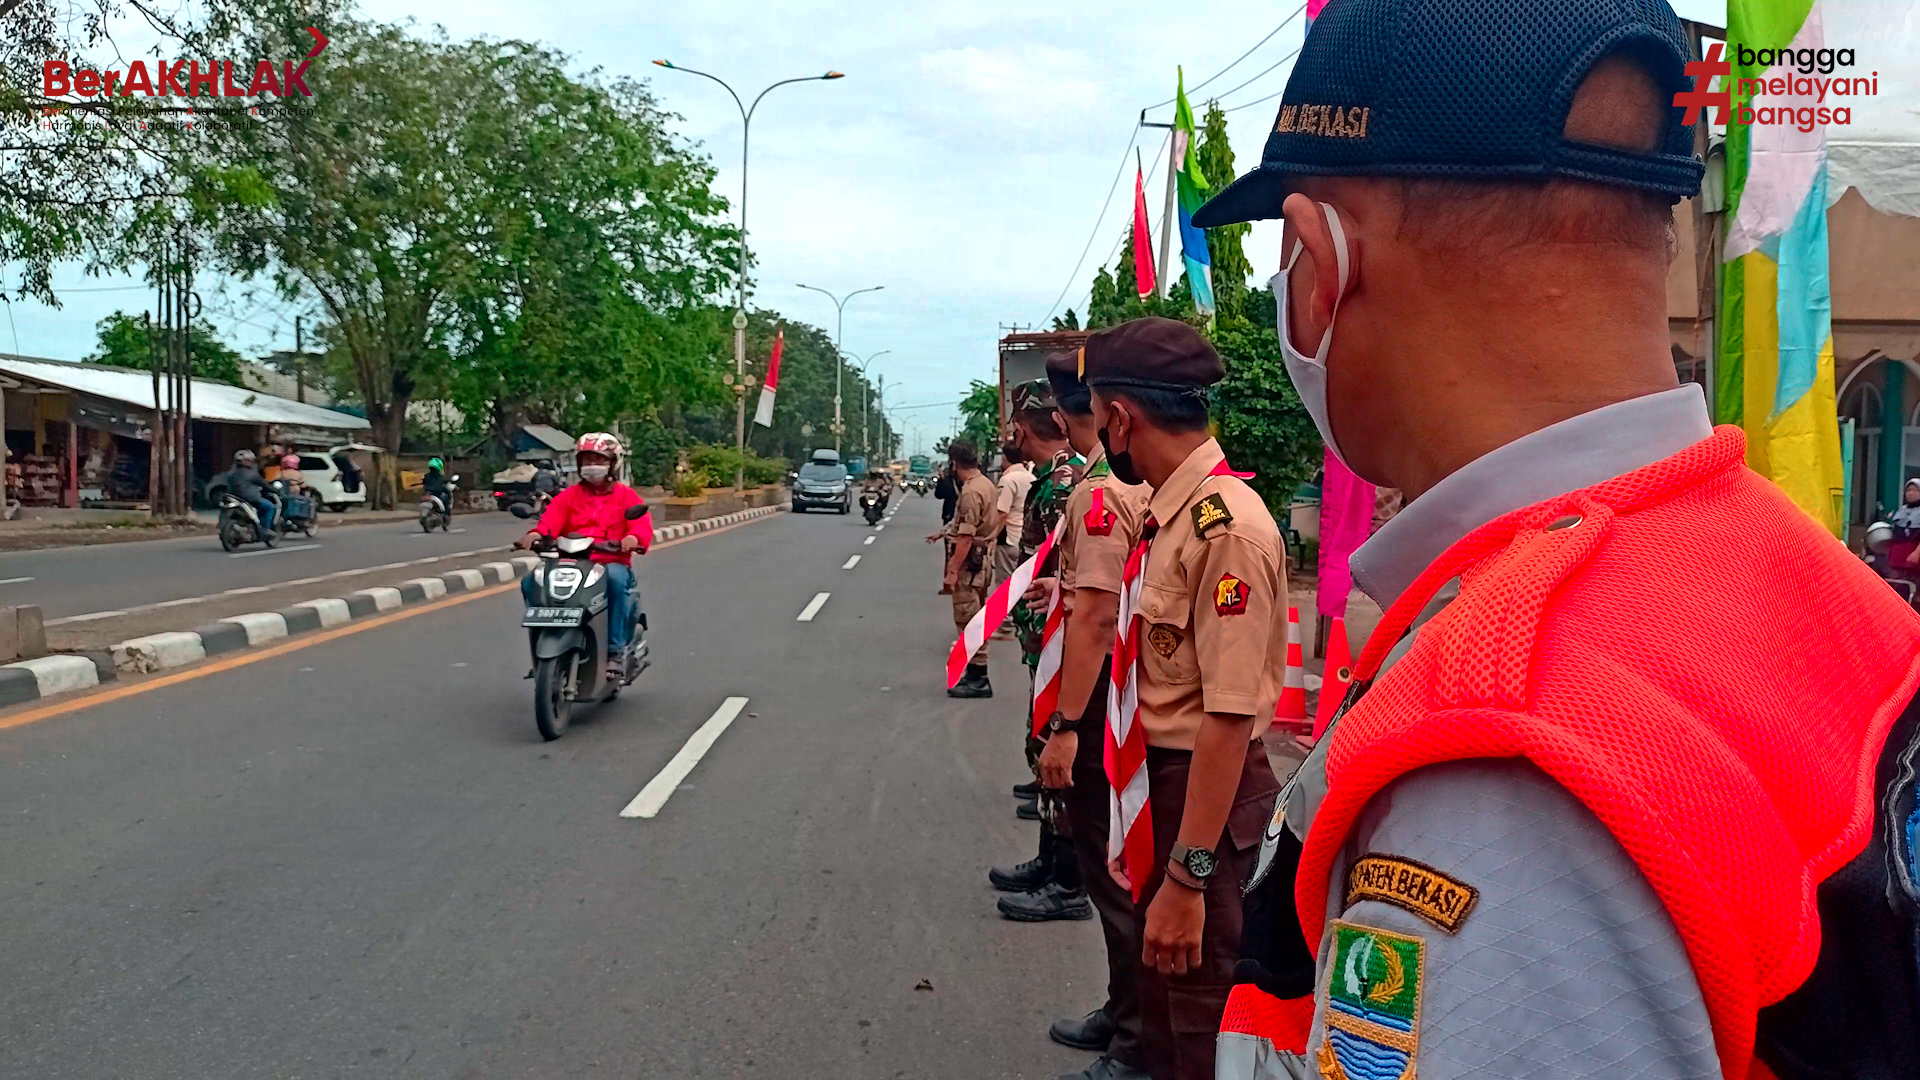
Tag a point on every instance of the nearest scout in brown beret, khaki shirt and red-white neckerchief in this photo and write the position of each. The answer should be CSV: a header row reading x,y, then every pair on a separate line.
x,y
1197,672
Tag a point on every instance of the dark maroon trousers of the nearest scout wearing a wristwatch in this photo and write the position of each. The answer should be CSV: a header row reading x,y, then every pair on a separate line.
x,y
1180,1014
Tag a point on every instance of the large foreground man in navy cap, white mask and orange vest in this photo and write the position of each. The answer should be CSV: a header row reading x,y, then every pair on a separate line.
x,y
1623,785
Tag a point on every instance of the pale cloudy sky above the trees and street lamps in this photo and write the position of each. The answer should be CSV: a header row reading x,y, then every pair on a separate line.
x,y
961,164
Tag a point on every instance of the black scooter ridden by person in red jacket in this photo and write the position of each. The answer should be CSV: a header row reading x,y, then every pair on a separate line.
x,y
567,629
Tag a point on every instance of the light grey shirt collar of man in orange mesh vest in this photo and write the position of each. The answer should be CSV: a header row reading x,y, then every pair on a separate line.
x,y
1573,454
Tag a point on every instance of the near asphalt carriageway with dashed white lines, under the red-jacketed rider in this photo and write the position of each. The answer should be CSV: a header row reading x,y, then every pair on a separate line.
x,y
360,860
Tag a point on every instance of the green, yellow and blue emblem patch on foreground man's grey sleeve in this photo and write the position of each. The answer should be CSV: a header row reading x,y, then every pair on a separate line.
x,y
1374,1004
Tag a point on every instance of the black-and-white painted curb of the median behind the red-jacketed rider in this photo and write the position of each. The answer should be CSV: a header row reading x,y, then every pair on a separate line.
x,y
43,677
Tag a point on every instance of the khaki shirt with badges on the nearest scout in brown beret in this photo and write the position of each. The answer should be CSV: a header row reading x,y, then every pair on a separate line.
x,y
1212,606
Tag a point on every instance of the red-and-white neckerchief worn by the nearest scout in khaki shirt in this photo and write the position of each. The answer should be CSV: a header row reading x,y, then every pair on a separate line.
x,y
1130,839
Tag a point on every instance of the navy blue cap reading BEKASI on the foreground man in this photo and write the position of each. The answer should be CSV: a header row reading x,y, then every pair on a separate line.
x,y
1464,91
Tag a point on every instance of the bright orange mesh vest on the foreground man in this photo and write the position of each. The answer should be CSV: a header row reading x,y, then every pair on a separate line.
x,y
1689,654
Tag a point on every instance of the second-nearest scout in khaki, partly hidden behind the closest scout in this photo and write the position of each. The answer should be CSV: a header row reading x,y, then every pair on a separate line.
x,y
1103,524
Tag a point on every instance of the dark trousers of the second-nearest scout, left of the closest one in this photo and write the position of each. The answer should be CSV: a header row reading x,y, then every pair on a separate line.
x,y
1088,810
